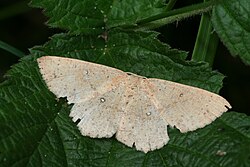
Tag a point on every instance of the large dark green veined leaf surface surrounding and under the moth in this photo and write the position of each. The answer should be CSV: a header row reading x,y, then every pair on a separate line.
x,y
36,128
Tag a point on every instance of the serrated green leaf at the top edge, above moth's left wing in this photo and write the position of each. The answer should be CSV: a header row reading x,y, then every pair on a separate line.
x,y
93,16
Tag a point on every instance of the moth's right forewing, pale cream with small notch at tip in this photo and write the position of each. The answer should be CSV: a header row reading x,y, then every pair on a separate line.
x,y
185,107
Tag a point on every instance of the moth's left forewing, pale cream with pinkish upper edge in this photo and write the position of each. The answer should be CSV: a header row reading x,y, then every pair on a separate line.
x,y
77,80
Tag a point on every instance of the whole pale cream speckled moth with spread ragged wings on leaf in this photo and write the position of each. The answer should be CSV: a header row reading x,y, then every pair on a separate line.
x,y
137,110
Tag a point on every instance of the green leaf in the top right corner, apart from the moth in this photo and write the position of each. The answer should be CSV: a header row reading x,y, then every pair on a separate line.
x,y
231,22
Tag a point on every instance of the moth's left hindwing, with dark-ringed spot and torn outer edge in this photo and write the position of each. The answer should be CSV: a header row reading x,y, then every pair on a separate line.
x,y
100,116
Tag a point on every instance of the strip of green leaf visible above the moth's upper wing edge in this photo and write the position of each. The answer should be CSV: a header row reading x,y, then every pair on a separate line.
x,y
137,52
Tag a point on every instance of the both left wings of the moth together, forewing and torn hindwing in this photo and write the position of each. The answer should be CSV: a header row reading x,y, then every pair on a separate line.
x,y
95,89
